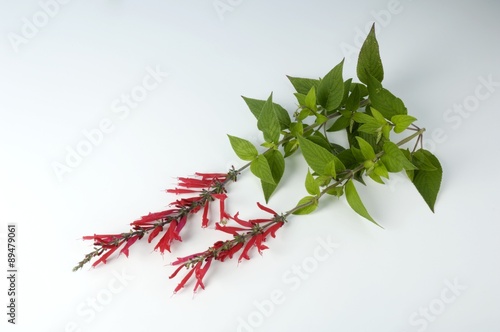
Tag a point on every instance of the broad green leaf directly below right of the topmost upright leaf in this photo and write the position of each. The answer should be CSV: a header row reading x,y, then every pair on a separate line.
x,y
384,101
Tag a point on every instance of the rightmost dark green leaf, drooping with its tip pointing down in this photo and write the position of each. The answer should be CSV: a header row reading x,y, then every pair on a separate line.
x,y
429,182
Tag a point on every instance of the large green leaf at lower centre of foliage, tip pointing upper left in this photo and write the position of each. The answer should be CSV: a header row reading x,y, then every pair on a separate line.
x,y
317,157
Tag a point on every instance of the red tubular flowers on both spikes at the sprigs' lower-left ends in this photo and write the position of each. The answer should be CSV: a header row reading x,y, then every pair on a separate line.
x,y
208,187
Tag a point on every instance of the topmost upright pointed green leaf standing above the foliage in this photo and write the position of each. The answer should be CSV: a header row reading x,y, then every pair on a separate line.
x,y
369,62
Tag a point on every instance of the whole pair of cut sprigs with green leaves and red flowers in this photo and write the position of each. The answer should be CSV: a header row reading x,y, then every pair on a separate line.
x,y
365,112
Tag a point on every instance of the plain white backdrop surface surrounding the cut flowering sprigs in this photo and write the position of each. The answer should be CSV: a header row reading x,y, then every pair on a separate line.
x,y
63,78
